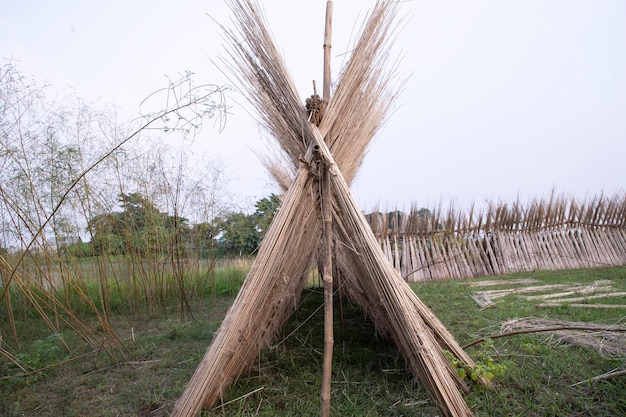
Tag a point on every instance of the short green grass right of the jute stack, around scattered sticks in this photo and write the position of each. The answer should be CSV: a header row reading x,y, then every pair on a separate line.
x,y
540,377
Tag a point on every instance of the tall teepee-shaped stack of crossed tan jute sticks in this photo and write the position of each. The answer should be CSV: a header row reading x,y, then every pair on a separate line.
x,y
271,291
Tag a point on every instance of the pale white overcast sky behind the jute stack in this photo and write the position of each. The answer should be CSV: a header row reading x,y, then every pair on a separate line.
x,y
504,99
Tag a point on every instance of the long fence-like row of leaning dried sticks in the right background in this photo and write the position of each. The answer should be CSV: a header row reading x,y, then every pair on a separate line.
x,y
547,234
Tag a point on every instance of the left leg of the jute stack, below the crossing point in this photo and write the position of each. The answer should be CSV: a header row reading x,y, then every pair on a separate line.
x,y
268,296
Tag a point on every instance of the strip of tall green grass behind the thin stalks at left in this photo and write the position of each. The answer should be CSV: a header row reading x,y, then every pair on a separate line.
x,y
120,285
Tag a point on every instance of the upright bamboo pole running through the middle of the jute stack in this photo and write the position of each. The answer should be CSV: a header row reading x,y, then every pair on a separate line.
x,y
328,237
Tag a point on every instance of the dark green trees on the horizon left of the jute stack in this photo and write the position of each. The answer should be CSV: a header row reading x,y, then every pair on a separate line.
x,y
140,228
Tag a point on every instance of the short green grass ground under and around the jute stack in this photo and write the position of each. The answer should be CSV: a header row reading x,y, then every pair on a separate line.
x,y
537,374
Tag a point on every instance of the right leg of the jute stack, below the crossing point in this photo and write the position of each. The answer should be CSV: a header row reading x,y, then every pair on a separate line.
x,y
394,307
